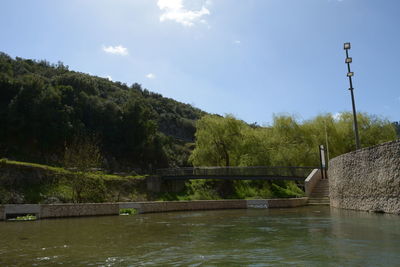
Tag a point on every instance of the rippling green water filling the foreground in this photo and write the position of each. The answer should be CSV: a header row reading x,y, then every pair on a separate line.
x,y
309,236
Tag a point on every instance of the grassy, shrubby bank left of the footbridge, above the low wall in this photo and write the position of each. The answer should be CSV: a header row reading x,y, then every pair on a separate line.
x,y
22,182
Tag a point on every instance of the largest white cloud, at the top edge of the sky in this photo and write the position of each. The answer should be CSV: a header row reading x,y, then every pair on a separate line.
x,y
175,11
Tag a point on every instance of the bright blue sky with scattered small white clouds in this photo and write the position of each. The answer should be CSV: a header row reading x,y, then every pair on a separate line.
x,y
250,58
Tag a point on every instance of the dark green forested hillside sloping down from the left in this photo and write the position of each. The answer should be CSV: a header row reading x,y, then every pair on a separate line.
x,y
45,107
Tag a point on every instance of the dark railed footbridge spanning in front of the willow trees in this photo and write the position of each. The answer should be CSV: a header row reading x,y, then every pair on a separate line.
x,y
236,173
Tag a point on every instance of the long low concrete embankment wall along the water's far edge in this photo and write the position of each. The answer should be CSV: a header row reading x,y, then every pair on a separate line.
x,y
97,209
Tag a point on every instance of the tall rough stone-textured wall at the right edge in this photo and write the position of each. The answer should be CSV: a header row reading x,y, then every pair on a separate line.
x,y
367,179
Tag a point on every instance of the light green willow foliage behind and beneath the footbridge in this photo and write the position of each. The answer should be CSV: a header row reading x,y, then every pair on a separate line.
x,y
226,141
